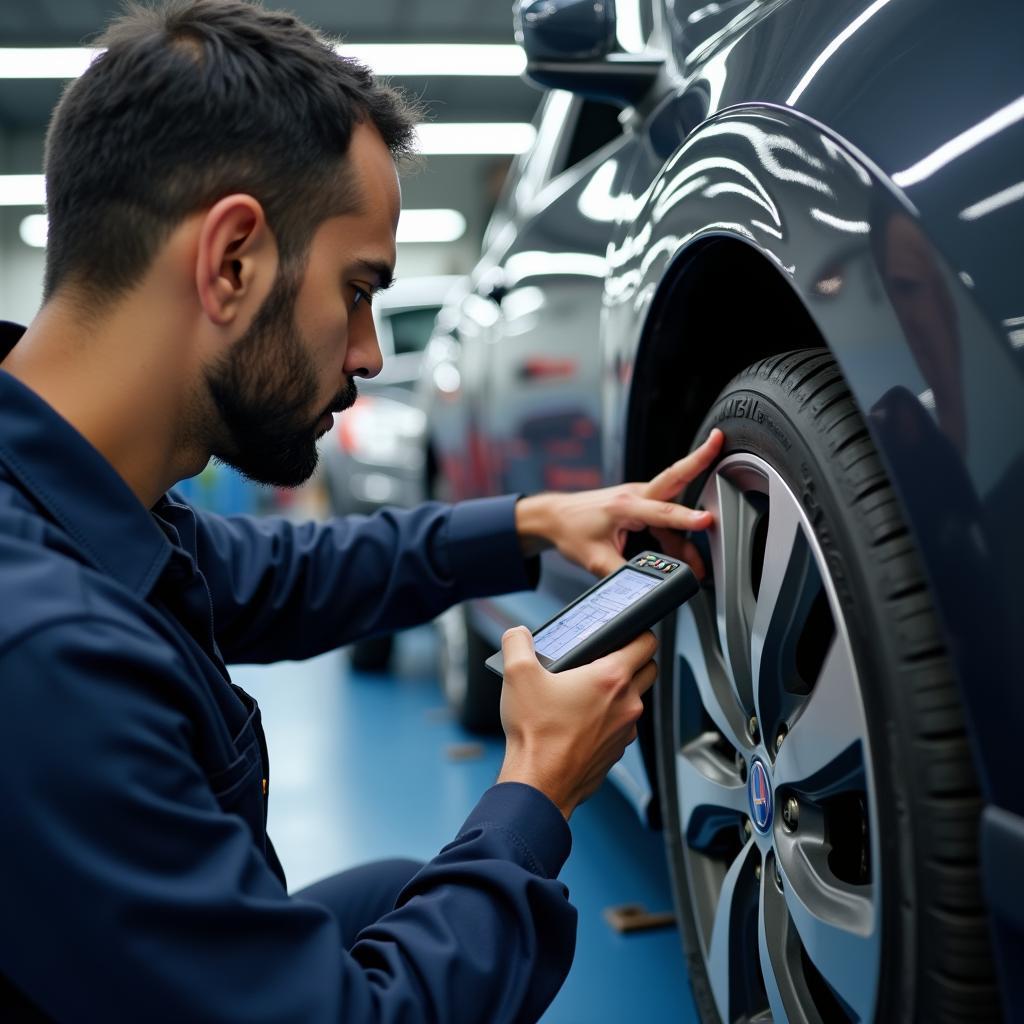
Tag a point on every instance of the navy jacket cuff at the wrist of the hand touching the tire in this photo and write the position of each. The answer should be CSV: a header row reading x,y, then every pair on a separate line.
x,y
485,551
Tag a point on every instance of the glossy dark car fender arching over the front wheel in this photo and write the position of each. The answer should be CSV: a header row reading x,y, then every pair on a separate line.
x,y
821,214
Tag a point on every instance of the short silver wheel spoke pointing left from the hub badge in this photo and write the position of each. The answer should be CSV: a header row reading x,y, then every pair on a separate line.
x,y
712,796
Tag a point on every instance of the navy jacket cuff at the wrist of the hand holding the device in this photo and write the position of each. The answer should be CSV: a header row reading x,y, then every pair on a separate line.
x,y
536,827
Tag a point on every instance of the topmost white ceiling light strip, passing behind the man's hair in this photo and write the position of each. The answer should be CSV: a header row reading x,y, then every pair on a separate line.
x,y
396,60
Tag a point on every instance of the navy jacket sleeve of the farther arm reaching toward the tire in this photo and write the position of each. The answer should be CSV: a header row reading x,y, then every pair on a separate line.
x,y
284,590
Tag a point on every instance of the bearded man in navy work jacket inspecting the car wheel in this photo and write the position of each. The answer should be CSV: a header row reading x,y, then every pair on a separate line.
x,y
223,195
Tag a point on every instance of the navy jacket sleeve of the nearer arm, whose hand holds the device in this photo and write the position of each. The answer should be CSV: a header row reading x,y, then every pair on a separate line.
x,y
131,894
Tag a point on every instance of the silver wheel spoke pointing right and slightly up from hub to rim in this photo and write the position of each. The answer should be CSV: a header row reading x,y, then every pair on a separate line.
x,y
817,757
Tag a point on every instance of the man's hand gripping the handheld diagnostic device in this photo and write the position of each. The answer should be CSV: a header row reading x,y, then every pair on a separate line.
x,y
565,732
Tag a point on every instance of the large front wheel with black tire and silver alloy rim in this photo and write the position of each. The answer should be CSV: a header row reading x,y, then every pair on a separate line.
x,y
820,802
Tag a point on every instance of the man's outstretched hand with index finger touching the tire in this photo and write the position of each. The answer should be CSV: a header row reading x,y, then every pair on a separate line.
x,y
590,528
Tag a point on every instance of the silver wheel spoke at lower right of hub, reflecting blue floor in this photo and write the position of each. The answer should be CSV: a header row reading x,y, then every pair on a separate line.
x,y
837,923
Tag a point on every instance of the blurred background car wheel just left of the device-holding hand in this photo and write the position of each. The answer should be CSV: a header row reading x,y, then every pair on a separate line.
x,y
473,692
